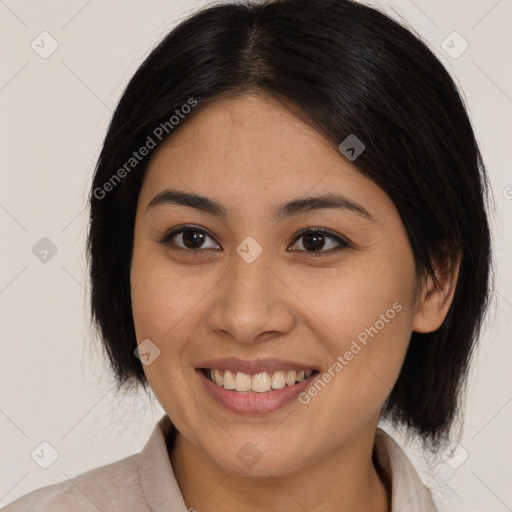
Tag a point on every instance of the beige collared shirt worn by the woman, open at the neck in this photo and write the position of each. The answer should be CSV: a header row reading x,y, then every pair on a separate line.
x,y
145,482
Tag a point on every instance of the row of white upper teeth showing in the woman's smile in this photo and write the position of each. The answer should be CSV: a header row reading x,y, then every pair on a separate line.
x,y
260,382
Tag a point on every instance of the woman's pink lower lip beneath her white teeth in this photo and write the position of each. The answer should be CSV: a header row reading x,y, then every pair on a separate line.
x,y
252,403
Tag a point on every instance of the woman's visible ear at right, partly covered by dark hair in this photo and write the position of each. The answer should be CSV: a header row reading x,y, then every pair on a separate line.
x,y
436,298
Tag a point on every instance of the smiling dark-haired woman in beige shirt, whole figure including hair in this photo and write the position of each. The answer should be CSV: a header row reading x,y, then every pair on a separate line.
x,y
288,242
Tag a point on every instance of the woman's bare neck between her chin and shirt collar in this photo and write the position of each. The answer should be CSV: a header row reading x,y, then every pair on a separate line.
x,y
345,480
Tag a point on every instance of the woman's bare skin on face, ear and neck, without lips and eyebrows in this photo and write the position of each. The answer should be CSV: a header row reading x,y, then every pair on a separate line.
x,y
251,154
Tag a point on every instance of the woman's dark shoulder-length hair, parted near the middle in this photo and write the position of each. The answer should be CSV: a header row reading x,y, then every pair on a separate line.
x,y
348,69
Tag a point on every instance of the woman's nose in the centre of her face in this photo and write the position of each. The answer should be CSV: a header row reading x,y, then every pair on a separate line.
x,y
251,303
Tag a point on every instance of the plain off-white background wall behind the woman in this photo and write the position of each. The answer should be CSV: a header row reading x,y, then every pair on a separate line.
x,y
55,384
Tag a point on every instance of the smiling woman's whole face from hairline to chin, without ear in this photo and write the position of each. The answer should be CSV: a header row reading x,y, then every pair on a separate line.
x,y
245,290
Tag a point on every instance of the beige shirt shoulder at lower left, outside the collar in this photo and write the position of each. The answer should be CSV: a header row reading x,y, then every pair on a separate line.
x,y
113,486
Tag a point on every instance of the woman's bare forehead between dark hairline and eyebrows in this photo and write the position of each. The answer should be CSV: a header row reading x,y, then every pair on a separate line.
x,y
250,144
